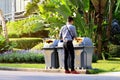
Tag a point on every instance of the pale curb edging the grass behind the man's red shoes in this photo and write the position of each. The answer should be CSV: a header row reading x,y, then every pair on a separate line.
x,y
39,70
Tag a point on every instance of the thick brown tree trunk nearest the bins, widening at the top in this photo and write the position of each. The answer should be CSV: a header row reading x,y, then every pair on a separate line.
x,y
99,8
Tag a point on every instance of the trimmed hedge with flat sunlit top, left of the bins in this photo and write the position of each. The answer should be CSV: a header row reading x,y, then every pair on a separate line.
x,y
26,43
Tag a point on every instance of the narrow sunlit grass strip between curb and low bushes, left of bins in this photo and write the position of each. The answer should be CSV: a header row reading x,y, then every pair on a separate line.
x,y
22,65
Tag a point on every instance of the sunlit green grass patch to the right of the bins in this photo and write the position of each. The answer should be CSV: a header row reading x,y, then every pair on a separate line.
x,y
111,65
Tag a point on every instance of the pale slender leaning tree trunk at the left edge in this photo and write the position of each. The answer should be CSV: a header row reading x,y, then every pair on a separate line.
x,y
4,28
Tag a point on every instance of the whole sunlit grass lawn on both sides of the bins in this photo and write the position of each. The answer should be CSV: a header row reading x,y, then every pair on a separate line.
x,y
110,65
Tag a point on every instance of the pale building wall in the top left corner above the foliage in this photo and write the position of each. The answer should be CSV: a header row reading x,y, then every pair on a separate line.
x,y
6,6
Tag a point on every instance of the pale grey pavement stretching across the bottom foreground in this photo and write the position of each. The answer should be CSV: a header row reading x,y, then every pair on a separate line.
x,y
23,75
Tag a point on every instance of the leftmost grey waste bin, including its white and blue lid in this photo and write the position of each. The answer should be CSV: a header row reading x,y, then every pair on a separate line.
x,y
50,53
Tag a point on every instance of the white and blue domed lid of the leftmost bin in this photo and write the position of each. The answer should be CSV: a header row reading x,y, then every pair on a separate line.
x,y
50,43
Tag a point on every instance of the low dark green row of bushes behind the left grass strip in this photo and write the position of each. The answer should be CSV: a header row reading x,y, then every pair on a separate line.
x,y
22,58
